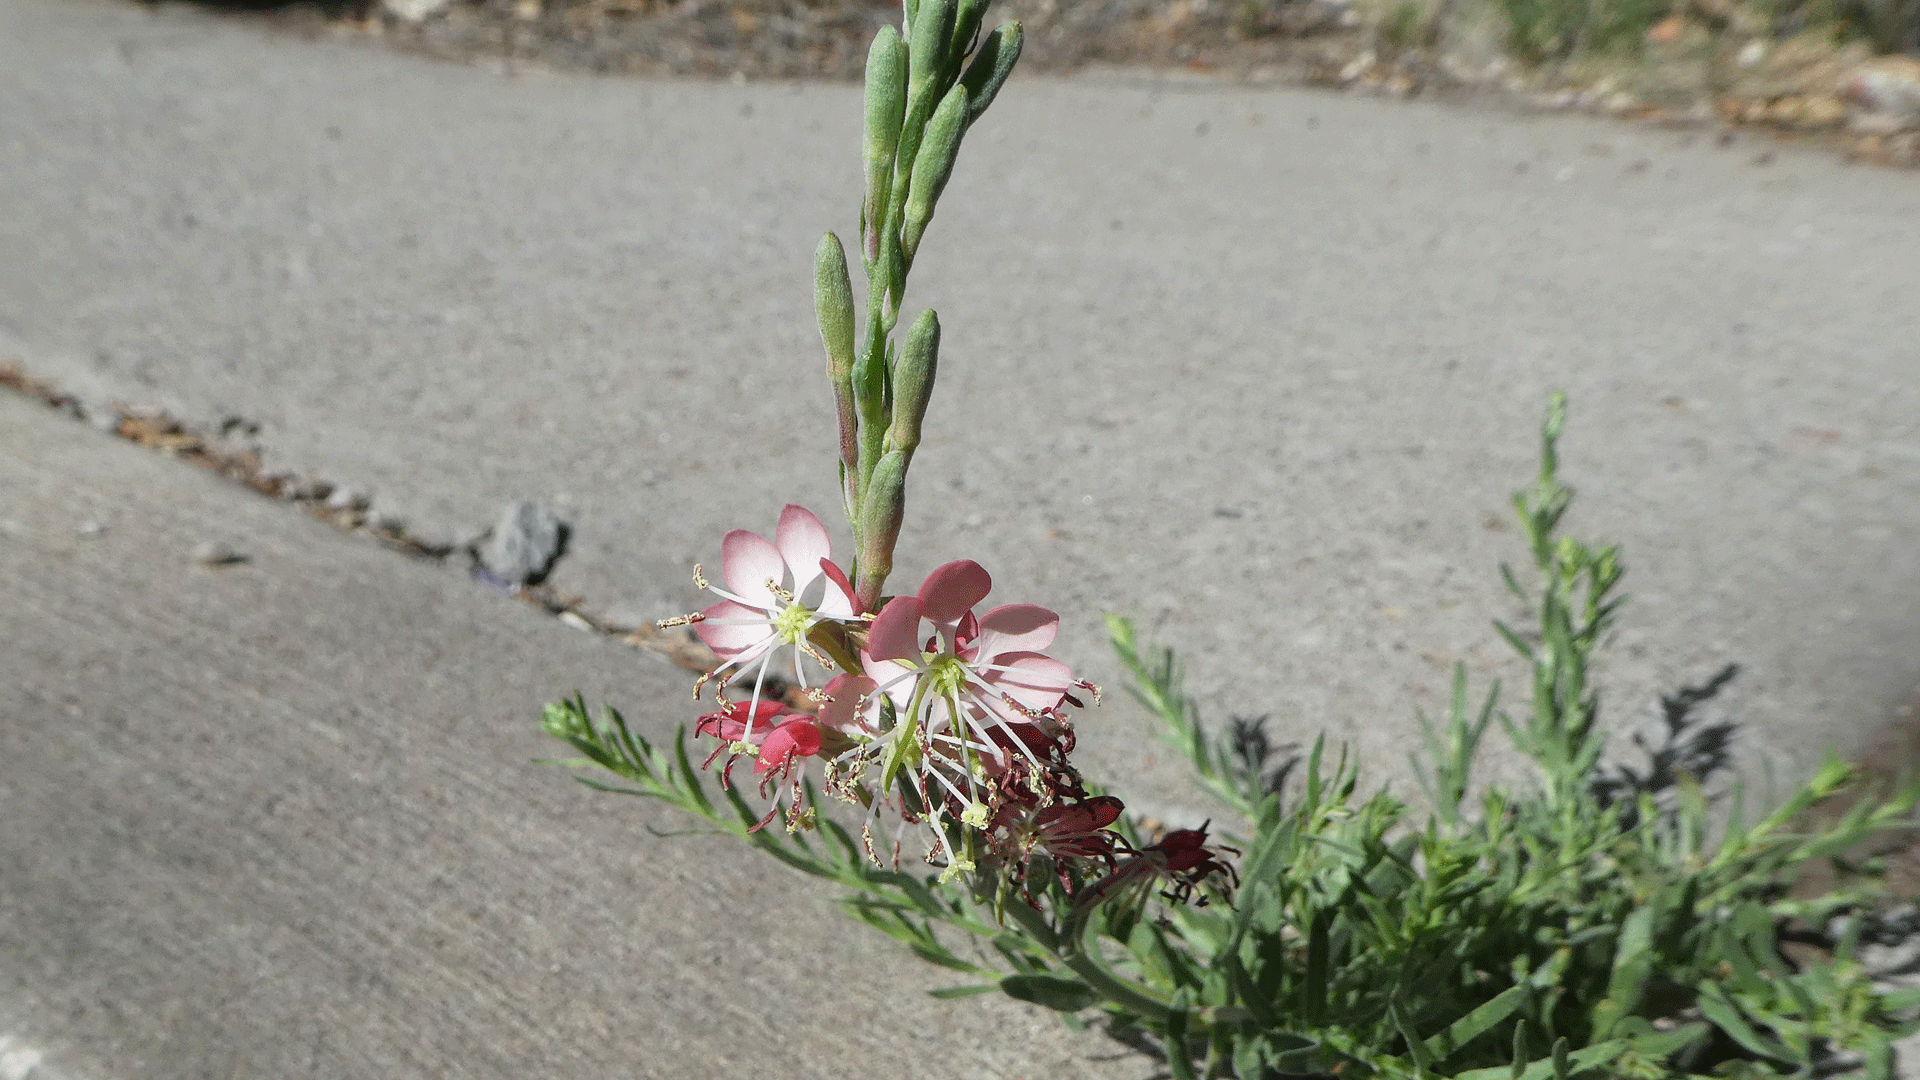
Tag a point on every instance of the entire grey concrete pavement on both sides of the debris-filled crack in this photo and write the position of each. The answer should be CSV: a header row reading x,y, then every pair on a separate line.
x,y
1255,366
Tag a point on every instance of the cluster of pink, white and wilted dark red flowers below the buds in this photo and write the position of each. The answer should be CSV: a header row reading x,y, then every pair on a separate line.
x,y
924,712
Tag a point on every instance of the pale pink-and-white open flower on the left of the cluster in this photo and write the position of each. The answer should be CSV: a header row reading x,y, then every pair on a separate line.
x,y
771,602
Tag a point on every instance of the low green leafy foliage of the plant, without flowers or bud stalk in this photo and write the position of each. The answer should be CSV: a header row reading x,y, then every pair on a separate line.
x,y
1608,921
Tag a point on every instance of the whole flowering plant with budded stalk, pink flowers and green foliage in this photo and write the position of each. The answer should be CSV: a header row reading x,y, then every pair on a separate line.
x,y
1608,921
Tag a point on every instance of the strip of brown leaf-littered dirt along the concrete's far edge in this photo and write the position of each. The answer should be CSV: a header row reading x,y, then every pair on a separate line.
x,y
1685,70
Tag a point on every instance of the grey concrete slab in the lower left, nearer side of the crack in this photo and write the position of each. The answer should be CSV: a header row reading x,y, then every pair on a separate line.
x,y
283,820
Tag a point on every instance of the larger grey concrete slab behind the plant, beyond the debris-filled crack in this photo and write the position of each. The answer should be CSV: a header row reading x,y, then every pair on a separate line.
x,y
1255,366
